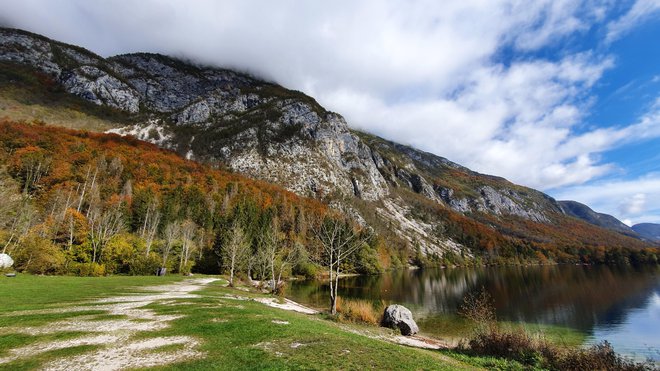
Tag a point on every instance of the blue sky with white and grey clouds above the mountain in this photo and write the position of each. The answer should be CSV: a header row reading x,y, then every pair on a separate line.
x,y
562,96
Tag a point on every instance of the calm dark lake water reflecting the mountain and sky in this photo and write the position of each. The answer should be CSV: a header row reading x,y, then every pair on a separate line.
x,y
617,304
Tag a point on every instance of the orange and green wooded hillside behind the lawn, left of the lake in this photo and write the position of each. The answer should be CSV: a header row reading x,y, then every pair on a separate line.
x,y
92,204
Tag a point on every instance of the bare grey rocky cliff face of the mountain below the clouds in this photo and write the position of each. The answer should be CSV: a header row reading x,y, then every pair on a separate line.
x,y
283,136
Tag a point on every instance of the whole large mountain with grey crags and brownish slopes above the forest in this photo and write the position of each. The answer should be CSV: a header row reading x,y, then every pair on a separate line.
x,y
427,207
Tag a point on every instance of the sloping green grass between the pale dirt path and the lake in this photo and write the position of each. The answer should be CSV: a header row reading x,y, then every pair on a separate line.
x,y
249,339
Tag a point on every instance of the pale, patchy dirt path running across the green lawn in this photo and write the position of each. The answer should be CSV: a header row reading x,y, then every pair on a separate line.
x,y
119,347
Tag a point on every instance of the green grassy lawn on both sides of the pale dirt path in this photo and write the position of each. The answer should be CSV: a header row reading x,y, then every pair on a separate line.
x,y
232,333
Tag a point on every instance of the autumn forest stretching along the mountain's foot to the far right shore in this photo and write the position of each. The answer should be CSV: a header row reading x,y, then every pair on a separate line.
x,y
89,204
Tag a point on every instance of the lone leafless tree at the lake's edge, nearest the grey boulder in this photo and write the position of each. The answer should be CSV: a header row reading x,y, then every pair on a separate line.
x,y
338,240
